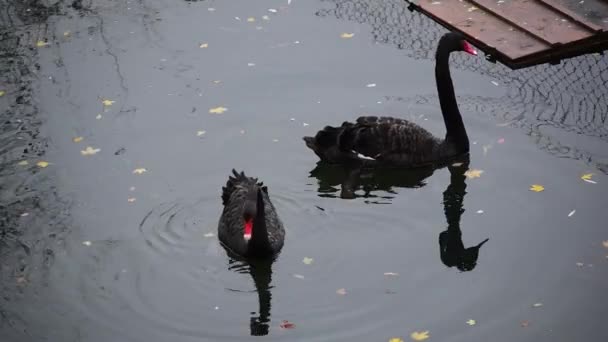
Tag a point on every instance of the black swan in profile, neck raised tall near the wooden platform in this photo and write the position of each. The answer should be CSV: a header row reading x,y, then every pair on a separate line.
x,y
397,142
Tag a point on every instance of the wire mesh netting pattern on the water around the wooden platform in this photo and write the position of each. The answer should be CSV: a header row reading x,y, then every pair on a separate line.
x,y
571,96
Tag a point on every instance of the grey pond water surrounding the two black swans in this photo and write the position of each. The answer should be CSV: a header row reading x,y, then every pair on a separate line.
x,y
91,251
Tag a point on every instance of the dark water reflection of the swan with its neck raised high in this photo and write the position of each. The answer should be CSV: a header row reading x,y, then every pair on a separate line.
x,y
356,182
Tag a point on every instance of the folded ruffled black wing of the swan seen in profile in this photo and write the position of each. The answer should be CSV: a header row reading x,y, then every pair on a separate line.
x,y
390,140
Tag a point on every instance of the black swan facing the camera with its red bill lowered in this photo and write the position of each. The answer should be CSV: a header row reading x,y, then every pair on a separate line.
x,y
249,225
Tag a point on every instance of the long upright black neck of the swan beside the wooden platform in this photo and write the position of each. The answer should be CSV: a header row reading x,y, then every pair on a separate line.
x,y
456,133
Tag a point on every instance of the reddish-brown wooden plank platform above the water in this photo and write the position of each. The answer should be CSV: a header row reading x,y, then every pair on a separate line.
x,y
522,33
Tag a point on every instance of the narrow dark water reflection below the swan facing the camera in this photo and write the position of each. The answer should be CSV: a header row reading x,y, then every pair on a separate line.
x,y
261,273
